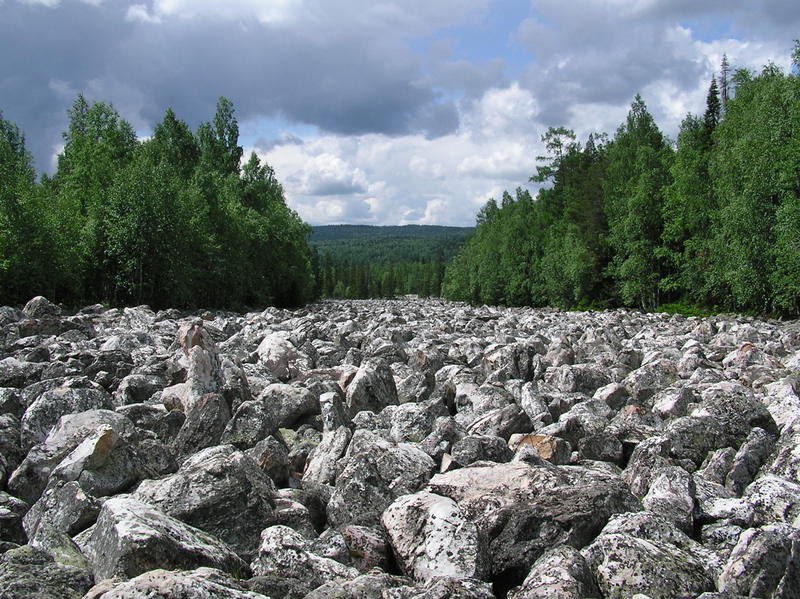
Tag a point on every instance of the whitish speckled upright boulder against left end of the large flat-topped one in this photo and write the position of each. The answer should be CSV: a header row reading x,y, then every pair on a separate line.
x,y
431,538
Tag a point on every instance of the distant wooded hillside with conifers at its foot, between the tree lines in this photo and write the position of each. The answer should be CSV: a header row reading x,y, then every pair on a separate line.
x,y
361,261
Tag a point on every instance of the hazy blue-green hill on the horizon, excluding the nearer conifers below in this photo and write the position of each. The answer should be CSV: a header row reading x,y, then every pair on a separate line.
x,y
382,245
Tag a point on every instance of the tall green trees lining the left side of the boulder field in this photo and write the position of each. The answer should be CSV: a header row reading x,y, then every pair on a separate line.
x,y
173,220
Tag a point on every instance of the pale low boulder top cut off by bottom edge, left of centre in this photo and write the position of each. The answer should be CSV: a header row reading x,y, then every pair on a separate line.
x,y
202,583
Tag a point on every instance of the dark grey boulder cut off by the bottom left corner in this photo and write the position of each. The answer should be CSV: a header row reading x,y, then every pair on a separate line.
x,y
28,573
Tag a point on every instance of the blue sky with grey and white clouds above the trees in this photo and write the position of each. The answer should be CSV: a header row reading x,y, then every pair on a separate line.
x,y
381,112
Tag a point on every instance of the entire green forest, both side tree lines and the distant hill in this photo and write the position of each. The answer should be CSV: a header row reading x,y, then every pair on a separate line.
x,y
710,222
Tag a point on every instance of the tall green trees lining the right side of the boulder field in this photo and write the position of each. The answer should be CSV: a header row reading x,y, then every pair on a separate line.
x,y
710,222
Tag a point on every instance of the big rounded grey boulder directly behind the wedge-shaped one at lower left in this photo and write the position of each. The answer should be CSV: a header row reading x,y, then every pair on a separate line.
x,y
220,491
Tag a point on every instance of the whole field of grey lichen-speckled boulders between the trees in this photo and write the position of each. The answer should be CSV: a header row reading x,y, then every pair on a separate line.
x,y
403,449
